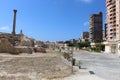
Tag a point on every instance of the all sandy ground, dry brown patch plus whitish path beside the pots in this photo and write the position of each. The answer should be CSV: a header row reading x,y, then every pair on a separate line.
x,y
33,66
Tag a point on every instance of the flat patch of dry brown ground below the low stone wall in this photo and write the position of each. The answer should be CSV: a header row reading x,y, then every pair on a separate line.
x,y
33,68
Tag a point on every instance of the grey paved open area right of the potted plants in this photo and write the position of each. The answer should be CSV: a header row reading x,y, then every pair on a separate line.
x,y
106,66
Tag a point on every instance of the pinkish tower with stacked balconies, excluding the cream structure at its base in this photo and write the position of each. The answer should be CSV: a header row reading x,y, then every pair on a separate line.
x,y
112,20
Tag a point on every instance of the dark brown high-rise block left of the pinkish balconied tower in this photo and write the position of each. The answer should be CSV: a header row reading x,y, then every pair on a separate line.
x,y
95,23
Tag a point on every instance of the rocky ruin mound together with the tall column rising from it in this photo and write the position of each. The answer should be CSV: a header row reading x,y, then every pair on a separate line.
x,y
19,43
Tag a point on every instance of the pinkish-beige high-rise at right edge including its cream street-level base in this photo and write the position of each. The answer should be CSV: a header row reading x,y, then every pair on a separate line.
x,y
112,43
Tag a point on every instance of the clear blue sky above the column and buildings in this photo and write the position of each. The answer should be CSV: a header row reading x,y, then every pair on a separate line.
x,y
51,20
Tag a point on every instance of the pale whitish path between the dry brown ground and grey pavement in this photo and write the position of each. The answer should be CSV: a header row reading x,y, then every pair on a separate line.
x,y
80,74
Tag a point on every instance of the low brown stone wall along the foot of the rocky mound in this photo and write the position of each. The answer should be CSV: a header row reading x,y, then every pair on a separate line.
x,y
7,47
